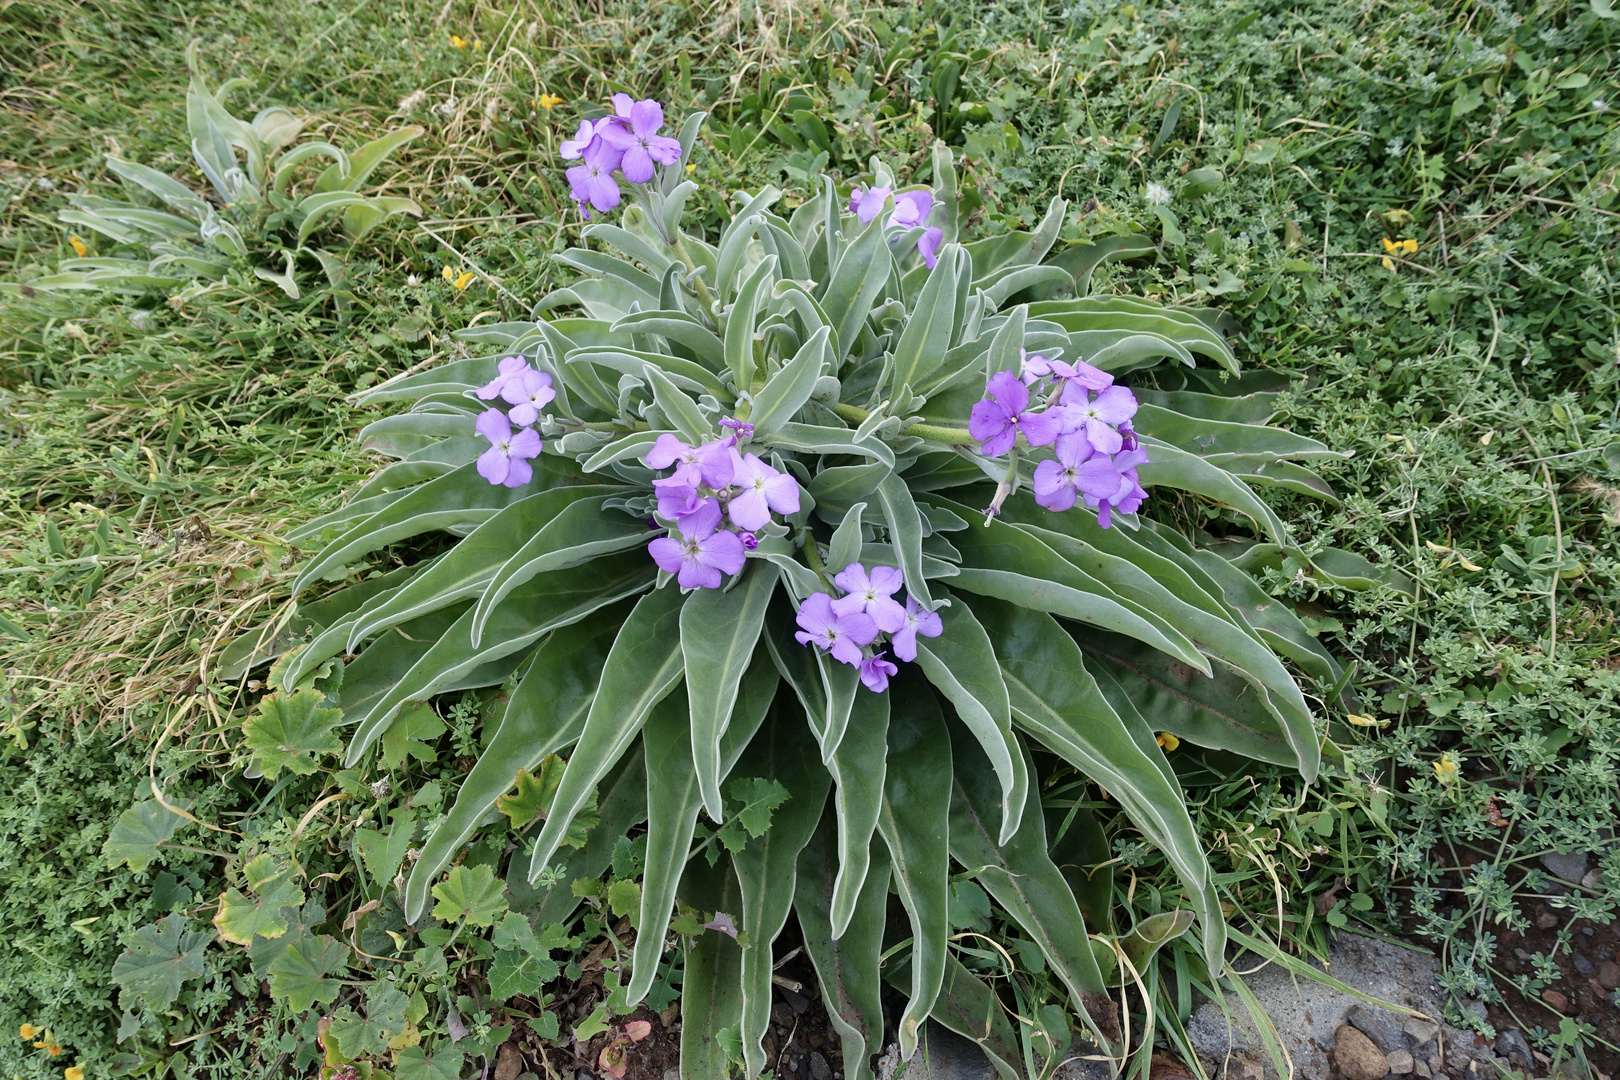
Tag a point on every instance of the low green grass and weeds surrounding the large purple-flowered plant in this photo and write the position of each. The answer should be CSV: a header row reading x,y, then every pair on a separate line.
x,y
158,457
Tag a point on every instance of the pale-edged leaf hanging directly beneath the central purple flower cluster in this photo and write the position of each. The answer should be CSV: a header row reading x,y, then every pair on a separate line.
x,y
720,631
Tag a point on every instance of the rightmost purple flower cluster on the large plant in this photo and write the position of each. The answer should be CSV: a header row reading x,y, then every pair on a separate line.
x,y
1085,419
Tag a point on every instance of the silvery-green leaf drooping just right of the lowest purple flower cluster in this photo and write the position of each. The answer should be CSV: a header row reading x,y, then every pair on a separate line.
x,y
961,665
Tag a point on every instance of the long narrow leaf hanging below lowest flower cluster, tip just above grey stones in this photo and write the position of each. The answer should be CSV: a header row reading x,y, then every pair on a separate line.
x,y
914,825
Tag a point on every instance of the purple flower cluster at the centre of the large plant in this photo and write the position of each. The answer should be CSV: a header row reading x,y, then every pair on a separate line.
x,y
712,483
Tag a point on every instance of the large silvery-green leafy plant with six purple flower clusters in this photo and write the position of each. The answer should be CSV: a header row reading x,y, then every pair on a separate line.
x,y
840,508
